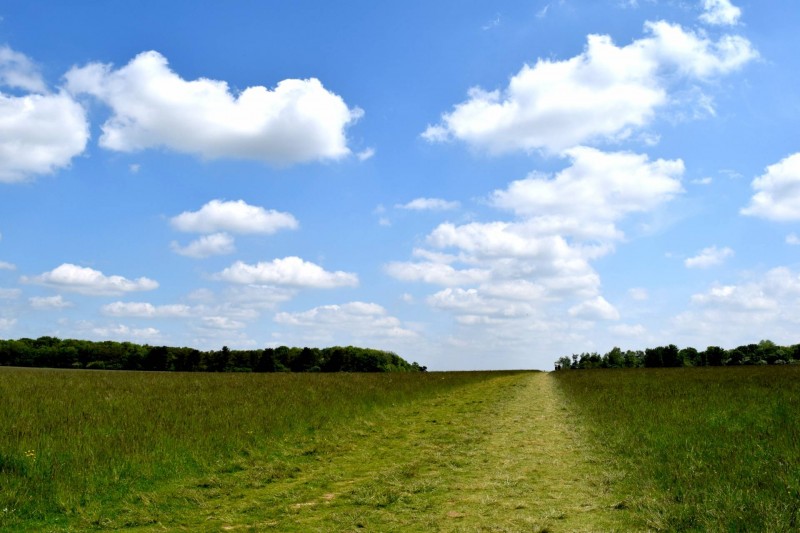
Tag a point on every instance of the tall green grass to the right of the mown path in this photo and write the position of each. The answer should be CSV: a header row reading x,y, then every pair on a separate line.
x,y
707,449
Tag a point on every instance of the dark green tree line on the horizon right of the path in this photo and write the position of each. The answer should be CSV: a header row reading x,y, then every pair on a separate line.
x,y
764,353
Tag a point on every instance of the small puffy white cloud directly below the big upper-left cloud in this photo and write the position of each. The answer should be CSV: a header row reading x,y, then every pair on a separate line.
x,y
233,217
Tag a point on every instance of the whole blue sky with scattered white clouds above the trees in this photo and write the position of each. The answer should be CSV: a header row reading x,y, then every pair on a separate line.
x,y
472,185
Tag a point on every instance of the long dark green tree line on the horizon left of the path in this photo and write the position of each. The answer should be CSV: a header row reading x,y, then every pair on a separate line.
x,y
52,352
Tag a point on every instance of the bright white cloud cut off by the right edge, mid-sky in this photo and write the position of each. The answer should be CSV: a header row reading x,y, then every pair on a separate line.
x,y
777,192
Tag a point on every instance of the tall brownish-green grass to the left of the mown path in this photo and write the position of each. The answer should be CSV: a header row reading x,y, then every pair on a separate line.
x,y
71,440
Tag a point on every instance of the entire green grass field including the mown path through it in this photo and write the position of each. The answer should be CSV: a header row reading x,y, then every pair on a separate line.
x,y
683,449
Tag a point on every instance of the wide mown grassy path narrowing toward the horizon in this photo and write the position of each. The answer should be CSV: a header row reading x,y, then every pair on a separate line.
x,y
500,455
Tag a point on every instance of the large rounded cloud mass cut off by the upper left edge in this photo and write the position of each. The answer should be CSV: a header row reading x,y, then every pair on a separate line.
x,y
40,132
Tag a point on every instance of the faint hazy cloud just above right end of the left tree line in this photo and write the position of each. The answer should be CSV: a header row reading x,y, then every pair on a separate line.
x,y
347,322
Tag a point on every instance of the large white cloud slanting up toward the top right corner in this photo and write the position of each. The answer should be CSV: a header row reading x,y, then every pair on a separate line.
x,y
600,94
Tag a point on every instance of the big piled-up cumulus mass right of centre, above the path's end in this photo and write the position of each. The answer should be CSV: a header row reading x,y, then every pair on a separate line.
x,y
536,267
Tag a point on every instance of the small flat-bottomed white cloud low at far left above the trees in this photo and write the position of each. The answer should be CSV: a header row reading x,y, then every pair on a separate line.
x,y
89,281
